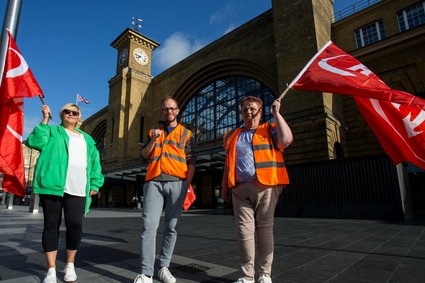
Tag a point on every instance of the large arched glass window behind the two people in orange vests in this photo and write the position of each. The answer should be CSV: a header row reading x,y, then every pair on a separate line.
x,y
214,109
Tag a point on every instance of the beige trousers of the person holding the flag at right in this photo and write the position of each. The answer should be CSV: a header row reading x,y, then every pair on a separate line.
x,y
254,206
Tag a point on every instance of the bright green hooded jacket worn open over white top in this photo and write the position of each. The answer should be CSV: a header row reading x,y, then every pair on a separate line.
x,y
52,164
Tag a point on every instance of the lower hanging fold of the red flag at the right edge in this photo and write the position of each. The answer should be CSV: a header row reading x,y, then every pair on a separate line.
x,y
400,129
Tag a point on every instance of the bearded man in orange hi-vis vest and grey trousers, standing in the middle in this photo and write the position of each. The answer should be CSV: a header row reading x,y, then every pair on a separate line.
x,y
171,154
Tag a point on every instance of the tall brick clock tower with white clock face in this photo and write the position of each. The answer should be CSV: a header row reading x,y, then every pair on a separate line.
x,y
127,91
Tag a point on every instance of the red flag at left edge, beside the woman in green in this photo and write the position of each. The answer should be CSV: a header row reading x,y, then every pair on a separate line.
x,y
18,82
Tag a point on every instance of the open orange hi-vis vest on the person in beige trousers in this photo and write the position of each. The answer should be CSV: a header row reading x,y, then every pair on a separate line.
x,y
268,161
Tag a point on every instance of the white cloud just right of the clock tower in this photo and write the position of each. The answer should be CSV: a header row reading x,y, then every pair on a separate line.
x,y
175,48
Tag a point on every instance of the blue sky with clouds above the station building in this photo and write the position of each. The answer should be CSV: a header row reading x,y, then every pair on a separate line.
x,y
67,42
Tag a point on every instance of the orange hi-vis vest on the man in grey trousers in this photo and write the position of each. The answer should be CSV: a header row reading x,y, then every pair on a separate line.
x,y
168,155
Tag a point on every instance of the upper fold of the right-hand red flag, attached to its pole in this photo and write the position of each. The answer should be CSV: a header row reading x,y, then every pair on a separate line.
x,y
333,70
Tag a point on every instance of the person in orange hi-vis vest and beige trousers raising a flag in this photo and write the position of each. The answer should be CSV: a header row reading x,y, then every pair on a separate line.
x,y
254,174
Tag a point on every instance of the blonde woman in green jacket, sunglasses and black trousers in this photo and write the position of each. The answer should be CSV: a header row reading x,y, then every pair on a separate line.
x,y
67,174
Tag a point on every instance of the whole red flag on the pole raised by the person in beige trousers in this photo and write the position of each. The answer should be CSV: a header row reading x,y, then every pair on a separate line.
x,y
396,117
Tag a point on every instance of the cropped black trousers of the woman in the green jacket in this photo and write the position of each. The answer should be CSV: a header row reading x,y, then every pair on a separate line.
x,y
73,209
